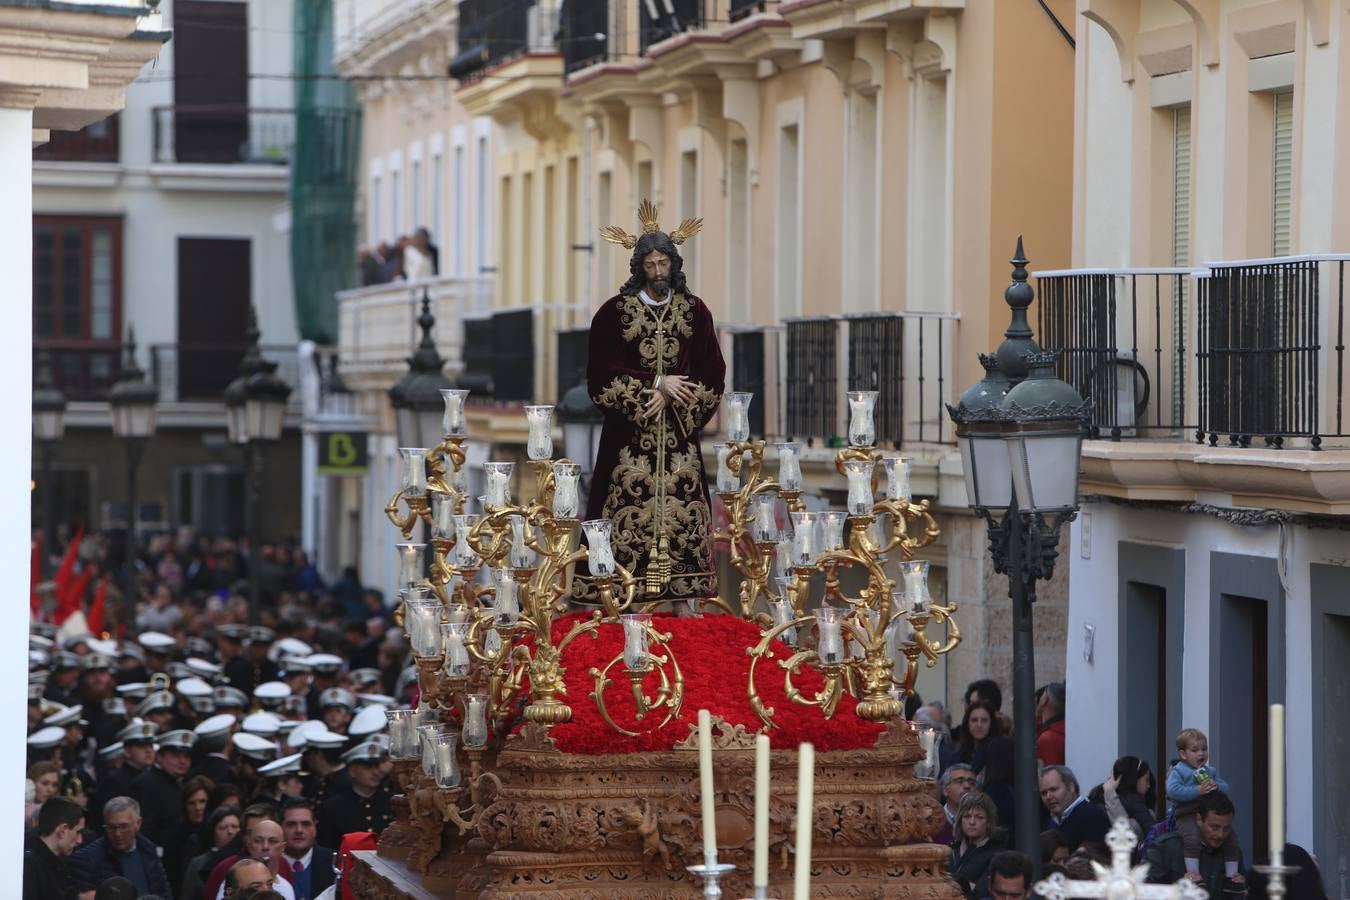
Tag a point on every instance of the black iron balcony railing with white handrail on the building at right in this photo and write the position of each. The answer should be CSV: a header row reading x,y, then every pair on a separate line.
x,y
1247,351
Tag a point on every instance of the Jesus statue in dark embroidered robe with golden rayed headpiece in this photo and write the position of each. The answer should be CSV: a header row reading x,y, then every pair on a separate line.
x,y
657,373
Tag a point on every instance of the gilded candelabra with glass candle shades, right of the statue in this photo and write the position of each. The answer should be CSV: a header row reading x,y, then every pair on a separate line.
x,y
859,647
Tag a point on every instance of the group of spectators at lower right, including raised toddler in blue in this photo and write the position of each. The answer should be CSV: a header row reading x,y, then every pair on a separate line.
x,y
1185,824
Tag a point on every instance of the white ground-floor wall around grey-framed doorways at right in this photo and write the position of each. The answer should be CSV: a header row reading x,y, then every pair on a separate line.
x,y
1093,687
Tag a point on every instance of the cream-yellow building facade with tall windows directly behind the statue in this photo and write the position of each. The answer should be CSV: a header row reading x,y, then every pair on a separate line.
x,y
863,168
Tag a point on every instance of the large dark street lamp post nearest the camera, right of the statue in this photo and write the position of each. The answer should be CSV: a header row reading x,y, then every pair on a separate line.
x,y
1020,432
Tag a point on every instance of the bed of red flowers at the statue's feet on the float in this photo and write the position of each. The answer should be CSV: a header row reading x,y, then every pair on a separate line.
x,y
712,656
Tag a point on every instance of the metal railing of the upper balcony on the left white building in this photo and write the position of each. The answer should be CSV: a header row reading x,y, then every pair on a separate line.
x,y
223,134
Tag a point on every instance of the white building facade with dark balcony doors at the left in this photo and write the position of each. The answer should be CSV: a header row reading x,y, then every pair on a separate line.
x,y
172,219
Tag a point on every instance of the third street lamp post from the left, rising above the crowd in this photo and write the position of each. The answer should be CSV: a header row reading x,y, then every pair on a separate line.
x,y
256,414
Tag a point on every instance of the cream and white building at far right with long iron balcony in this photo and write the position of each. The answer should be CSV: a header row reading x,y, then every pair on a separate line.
x,y
1205,318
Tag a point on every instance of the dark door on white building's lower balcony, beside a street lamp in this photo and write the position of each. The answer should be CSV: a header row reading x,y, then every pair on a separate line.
x,y
215,289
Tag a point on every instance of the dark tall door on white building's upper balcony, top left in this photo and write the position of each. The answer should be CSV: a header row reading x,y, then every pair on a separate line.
x,y
211,82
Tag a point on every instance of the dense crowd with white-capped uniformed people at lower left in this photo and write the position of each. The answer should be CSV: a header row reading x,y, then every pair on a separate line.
x,y
199,756
